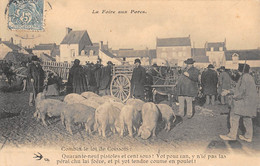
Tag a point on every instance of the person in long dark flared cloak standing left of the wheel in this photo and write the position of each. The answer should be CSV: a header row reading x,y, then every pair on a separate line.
x,y
77,80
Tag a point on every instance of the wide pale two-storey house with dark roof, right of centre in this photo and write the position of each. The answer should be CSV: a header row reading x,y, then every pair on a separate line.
x,y
174,50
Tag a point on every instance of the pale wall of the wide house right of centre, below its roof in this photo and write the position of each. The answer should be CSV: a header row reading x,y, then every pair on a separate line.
x,y
175,54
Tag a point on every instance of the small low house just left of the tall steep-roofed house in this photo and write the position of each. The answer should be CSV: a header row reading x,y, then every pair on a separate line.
x,y
50,49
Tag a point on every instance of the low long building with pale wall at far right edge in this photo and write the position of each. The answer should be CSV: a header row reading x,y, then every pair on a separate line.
x,y
251,57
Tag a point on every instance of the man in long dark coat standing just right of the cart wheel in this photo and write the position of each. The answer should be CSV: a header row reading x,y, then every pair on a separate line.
x,y
138,80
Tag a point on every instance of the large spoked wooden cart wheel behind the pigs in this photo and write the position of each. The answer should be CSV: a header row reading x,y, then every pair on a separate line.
x,y
120,87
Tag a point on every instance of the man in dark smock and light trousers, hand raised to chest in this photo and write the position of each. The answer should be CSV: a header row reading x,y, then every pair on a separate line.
x,y
187,87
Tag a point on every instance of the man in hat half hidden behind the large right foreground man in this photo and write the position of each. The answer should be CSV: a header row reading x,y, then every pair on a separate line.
x,y
224,84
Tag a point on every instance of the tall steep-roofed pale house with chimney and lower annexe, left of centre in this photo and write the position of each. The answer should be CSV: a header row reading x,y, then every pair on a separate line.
x,y
78,45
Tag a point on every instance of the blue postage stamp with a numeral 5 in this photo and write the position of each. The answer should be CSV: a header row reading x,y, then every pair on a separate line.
x,y
26,15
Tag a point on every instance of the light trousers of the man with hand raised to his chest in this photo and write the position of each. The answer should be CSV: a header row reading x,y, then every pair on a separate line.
x,y
188,101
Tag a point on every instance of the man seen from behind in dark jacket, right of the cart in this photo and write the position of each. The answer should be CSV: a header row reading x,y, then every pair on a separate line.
x,y
209,82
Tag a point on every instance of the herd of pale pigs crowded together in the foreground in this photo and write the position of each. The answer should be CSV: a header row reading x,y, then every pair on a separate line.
x,y
100,113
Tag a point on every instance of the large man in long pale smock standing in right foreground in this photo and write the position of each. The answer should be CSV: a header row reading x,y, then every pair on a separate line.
x,y
244,105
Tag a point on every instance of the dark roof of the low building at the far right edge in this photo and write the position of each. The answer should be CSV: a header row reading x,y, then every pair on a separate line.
x,y
253,54
